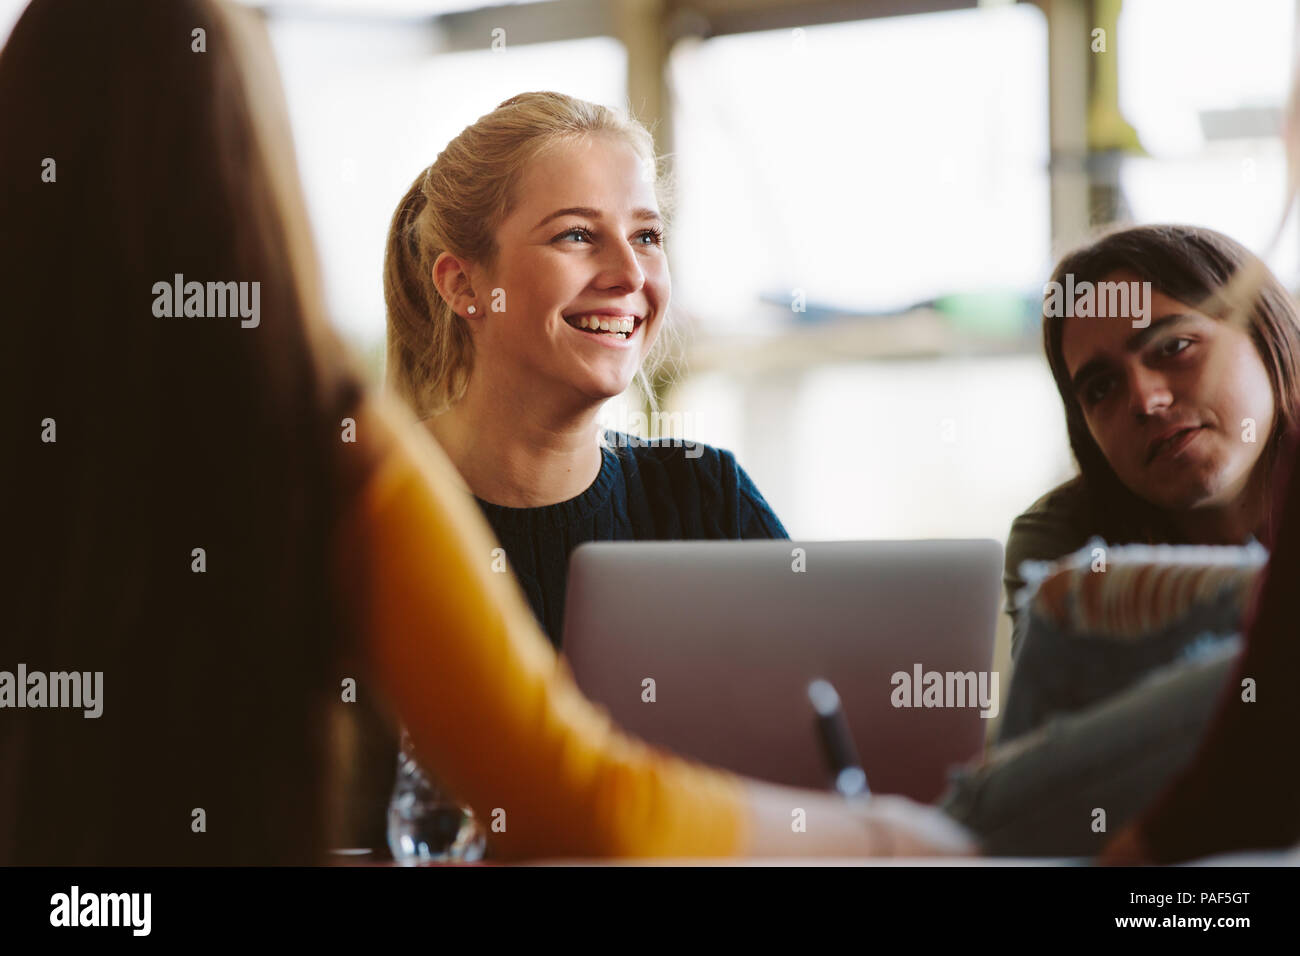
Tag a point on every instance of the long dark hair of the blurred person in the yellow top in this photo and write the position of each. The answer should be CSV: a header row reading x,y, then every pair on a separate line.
x,y
172,434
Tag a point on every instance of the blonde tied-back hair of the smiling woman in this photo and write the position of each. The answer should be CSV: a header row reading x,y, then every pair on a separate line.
x,y
456,206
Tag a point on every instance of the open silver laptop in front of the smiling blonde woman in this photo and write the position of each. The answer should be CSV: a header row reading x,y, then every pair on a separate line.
x,y
733,633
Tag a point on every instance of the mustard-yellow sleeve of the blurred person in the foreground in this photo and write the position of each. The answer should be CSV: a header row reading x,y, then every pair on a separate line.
x,y
491,708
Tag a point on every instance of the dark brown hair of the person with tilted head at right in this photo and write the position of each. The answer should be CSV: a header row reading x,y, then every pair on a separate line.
x,y
1194,266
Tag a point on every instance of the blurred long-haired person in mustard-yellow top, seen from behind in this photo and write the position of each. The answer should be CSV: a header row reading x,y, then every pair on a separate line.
x,y
210,513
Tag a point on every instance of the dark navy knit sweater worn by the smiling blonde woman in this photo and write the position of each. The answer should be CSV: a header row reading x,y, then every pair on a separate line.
x,y
647,491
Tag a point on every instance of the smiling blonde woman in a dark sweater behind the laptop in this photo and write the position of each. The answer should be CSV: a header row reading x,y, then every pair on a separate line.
x,y
527,284
